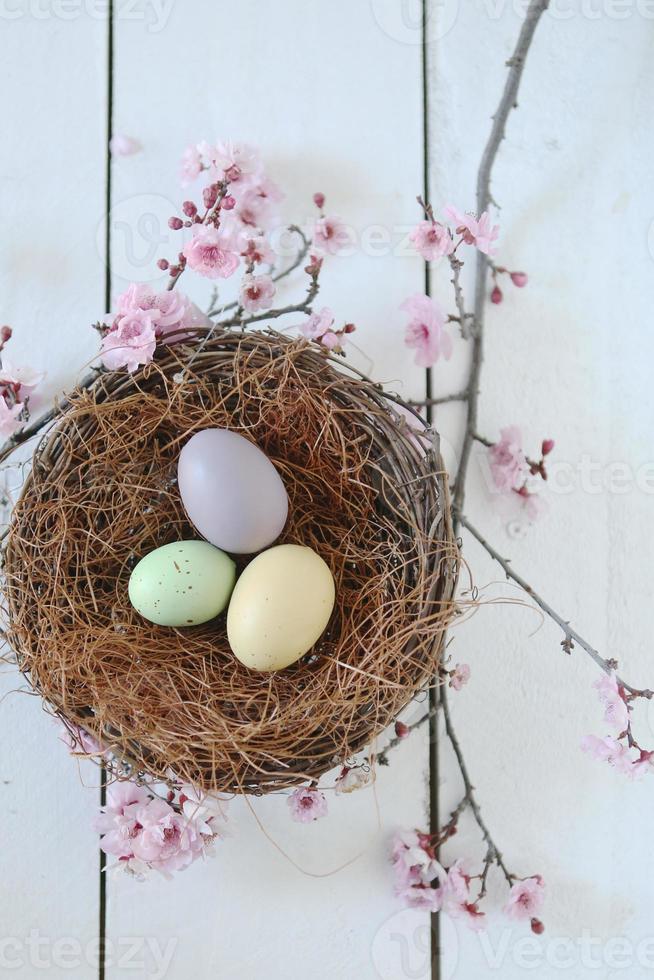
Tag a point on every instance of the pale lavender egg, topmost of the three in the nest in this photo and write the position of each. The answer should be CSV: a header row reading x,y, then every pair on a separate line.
x,y
231,491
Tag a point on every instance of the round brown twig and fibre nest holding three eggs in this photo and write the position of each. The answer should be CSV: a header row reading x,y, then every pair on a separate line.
x,y
367,491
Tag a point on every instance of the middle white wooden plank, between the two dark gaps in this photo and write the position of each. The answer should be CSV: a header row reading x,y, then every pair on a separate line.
x,y
333,100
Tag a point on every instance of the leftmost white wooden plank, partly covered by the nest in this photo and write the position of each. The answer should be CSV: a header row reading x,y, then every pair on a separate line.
x,y
53,151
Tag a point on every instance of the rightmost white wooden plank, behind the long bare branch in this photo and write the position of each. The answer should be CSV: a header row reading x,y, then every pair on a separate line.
x,y
566,357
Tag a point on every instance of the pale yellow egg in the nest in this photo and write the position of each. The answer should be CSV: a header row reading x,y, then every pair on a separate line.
x,y
280,606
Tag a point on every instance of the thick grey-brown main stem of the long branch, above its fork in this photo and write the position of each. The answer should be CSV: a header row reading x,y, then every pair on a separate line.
x,y
508,102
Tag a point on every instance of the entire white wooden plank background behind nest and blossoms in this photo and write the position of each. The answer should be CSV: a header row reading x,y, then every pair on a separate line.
x,y
333,95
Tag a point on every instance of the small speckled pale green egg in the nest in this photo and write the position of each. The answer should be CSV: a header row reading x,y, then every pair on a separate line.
x,y
182,584
